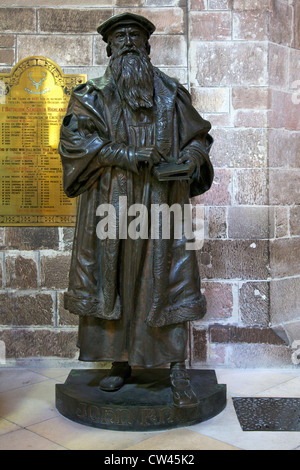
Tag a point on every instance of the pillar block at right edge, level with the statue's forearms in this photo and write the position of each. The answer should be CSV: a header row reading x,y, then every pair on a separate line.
x,y
284,148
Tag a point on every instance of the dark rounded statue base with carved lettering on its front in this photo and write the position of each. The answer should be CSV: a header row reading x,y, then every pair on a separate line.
x,y
144,403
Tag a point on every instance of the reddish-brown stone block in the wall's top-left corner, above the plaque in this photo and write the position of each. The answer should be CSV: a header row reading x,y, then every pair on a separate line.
x,y
17,20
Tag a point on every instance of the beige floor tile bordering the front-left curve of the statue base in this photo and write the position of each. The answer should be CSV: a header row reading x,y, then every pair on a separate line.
x,y
75,436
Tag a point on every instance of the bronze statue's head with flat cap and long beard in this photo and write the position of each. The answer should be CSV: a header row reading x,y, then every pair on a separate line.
x,y
127,37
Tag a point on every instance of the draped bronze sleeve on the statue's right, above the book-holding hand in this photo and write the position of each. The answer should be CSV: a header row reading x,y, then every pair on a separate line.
x,y
195,142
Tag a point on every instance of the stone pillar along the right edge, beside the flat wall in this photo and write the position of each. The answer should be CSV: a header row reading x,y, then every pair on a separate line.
x,y
284,163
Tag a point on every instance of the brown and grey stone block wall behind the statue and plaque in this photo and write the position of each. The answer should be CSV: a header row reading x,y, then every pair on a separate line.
x,y
241,61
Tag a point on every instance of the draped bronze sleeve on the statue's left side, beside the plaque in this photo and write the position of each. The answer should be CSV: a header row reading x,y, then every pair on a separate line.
x,y
85,146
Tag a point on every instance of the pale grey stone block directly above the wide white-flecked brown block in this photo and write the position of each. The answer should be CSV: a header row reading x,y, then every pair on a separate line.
x,y
250,223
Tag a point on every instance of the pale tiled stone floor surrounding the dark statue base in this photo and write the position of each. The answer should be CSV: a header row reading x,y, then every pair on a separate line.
x,y
30,421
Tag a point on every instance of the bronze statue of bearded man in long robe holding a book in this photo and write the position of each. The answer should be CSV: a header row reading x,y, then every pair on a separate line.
x,y
133,133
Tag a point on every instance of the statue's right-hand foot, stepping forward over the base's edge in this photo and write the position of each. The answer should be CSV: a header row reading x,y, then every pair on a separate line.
x,y
183,393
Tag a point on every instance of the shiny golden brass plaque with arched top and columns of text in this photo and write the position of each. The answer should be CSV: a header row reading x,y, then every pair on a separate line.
x,y
33,101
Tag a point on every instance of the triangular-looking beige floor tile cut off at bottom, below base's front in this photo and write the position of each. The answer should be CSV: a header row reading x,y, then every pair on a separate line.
x,y
181,439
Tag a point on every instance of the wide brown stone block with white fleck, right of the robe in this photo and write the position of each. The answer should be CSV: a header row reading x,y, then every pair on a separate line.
x,y
234,259
